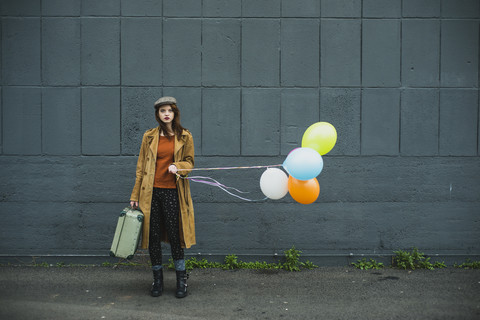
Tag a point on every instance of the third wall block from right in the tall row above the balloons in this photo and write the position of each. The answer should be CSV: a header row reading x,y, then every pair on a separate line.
x,y
381,53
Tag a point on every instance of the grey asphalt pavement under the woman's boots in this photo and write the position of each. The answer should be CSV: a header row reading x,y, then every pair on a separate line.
x,y
323,293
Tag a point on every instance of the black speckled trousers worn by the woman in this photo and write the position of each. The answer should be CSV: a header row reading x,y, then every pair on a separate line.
x,y
164,211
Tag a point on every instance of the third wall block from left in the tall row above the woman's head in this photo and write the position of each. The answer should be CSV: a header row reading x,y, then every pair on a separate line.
x,y
100,51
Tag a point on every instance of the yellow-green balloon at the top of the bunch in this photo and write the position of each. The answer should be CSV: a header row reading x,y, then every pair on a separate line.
x,y
320,136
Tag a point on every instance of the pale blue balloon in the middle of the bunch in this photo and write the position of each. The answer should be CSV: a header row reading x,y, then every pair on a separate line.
x,y
303,163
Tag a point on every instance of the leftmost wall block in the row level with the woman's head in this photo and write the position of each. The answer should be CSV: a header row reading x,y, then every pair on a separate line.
x,y
22,120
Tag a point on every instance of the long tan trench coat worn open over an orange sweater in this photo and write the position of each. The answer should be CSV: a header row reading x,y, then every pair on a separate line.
x,y
143,189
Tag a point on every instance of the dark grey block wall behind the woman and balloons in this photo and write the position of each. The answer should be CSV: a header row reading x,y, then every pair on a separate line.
x,y
398,79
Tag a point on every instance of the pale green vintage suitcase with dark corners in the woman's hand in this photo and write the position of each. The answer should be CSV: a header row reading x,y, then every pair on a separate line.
x,y
127,234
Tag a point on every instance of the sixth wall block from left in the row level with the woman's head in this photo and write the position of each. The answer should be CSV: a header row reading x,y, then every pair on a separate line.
x,y
221,121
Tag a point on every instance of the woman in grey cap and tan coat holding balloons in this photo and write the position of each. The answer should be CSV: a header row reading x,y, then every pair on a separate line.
x,y
162,196
